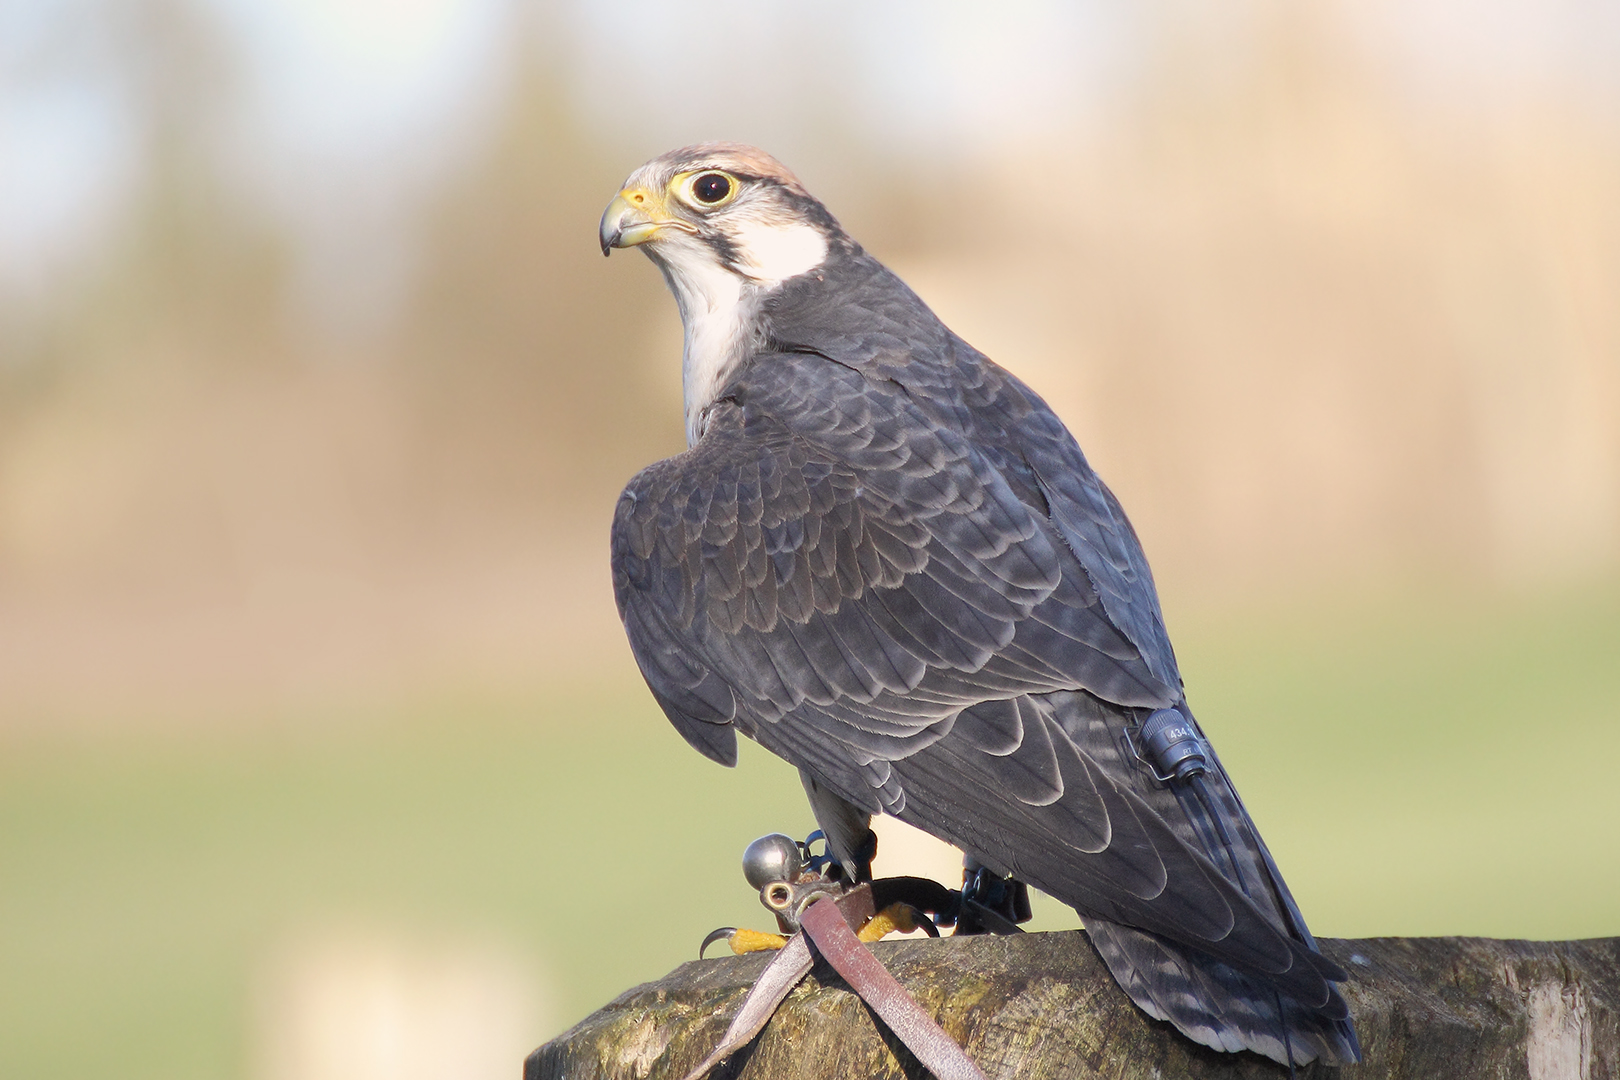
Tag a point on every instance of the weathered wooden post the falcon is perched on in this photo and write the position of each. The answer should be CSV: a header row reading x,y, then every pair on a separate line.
x,y
1042,1006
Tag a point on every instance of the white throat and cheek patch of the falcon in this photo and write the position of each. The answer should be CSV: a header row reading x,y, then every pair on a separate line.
x,y
720,308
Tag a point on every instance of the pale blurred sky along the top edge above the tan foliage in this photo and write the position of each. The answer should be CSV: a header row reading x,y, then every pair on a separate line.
x,y
344,116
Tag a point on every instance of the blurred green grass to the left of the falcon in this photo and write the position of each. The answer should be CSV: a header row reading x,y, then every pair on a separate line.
x,y
145,880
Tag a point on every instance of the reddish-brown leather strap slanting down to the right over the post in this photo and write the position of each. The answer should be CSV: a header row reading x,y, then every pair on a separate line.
x,y
868,977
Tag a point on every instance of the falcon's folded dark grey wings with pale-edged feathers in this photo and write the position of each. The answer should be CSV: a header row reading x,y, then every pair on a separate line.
x,y
866,593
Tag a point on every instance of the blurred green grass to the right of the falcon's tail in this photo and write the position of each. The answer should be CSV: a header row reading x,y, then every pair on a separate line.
x,y
1438,770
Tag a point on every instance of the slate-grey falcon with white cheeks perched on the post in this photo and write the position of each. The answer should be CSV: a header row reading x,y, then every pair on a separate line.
x,y
887,561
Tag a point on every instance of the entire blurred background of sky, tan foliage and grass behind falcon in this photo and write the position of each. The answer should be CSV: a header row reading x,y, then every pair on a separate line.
x,y
322,754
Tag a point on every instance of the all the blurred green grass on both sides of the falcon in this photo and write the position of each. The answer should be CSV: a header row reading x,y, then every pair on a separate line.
x,y
1438,768
